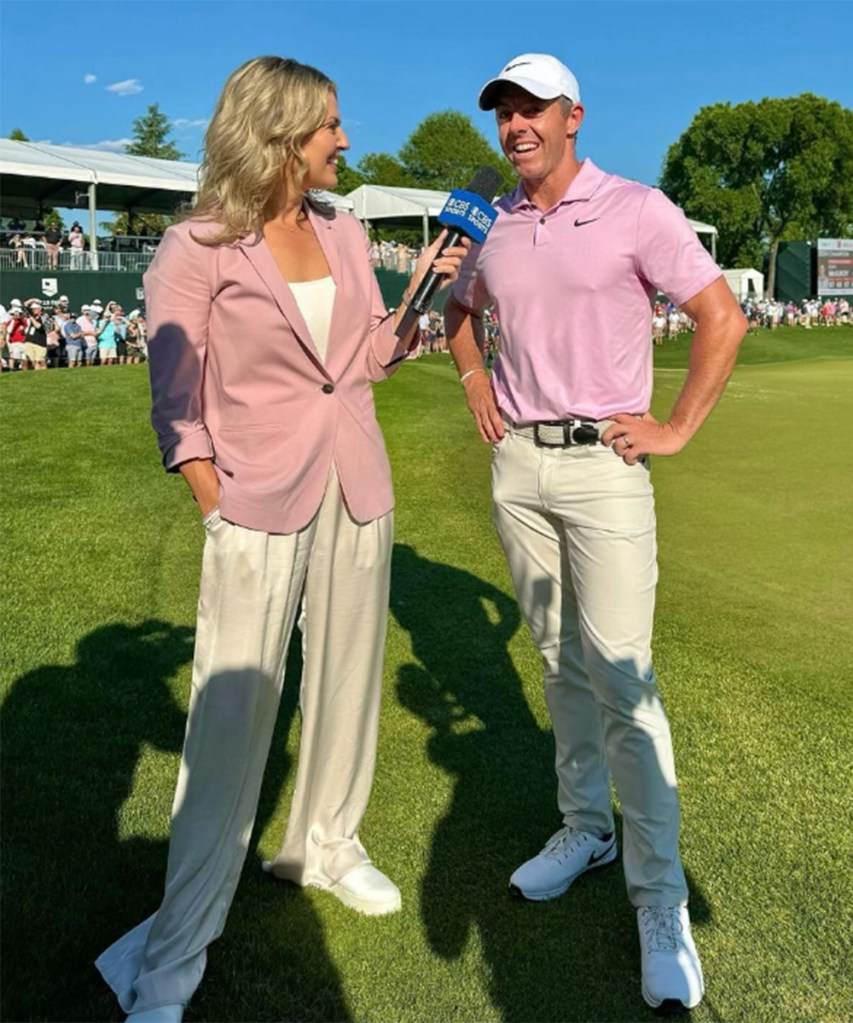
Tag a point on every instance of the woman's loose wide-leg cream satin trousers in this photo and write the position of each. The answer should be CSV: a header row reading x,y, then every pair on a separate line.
x,y
252,586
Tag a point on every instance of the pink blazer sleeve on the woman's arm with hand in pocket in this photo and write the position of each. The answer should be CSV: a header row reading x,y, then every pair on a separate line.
x,y
178,301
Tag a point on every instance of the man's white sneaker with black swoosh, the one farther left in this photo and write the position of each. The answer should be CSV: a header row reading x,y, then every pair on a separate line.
x,y
567,856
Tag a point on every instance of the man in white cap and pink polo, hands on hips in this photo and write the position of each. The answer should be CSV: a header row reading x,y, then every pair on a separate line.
x,y
572,268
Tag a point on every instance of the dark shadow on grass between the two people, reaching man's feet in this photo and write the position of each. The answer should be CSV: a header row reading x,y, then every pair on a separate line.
x,y
576,958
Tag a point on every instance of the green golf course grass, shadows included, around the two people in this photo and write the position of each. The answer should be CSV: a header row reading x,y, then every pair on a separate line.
x,y
754,644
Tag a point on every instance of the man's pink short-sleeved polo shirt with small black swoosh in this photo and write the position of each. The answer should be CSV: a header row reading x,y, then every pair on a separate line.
x,y
574,290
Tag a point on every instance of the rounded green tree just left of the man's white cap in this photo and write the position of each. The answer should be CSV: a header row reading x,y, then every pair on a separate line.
x,y
446,150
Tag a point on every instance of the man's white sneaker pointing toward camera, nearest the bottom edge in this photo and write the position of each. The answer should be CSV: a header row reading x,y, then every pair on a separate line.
x,y
671,970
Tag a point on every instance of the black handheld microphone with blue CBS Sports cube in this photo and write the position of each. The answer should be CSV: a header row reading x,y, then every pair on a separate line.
x,y
467,213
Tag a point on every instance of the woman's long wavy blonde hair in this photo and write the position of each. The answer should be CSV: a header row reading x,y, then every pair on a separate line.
x,y
268,110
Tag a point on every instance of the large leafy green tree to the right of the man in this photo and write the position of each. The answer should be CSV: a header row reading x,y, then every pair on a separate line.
x,y
766,172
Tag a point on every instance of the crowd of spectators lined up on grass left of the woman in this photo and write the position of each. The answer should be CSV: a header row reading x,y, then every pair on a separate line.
x,y
36,335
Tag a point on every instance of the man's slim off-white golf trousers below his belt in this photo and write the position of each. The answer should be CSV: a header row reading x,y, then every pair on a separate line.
x,y
578,529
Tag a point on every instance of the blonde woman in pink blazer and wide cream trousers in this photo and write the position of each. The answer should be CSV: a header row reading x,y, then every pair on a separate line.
x,y
276,432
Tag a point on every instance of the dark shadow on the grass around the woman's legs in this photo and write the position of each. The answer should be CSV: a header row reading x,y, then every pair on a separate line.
x,y
72,740
